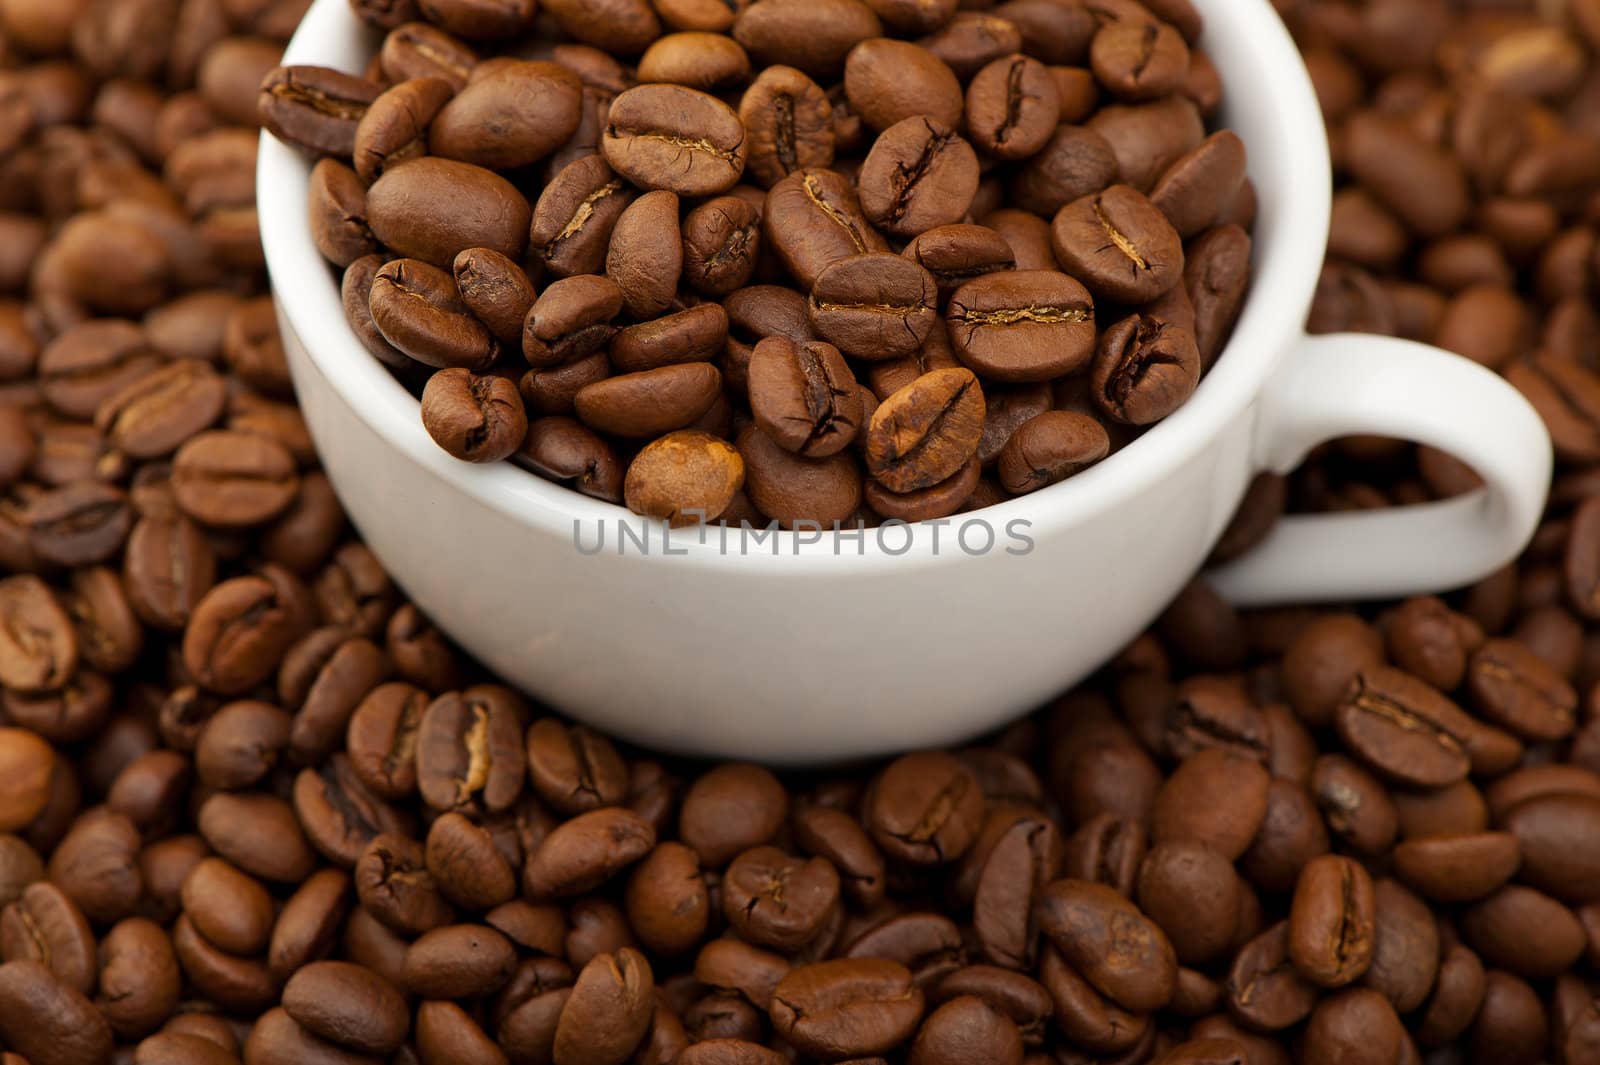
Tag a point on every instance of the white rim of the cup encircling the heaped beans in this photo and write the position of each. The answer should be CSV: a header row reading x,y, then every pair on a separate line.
x,y
1263,74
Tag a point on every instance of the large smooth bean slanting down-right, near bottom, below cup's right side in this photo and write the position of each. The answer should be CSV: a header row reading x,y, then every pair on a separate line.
x,y
1084,920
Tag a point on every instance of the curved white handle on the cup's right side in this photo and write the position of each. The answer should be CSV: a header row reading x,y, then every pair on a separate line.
x,y
1346,385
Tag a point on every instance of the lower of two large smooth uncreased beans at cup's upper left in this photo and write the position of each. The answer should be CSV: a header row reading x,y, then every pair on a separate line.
x,y
436,209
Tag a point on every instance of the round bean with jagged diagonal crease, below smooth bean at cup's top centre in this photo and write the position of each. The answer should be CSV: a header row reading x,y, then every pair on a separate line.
x,y
918,177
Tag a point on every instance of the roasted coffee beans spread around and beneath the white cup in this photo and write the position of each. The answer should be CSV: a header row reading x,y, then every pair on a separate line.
x,y
255,808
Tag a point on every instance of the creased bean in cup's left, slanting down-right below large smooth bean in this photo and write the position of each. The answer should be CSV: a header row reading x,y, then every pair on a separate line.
x,y
420,311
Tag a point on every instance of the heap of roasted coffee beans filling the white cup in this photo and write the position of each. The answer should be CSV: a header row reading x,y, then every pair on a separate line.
x,y
828,261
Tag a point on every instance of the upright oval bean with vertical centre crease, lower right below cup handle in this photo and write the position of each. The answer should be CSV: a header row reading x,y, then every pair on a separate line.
x,y
1332,922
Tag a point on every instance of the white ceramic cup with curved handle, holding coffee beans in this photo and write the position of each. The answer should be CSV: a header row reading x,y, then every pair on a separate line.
x,y
793,652
